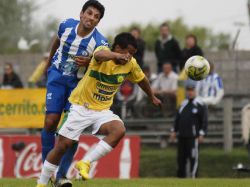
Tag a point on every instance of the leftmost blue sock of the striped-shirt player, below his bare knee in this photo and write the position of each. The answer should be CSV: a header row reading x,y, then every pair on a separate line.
x,y
48,142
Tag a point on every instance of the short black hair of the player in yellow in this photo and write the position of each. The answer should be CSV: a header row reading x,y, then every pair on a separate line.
x,y
124,39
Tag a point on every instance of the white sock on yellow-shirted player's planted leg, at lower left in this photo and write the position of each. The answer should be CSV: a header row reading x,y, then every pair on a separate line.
x,y
47,171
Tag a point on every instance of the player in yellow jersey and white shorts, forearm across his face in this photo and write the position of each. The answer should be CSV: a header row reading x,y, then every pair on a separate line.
x,y
91,101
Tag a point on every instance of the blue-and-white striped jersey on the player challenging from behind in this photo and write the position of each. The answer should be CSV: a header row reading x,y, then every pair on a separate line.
x,y
72,45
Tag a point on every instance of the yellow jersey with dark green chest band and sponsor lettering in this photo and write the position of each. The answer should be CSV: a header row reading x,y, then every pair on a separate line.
x,y
97,88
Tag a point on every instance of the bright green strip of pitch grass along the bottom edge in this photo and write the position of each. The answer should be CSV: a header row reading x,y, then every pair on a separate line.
x,y
149,182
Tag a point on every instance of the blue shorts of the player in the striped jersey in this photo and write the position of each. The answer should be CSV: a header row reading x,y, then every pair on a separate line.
x,y
59,88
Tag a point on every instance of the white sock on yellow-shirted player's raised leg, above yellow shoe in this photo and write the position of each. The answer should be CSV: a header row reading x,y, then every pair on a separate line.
x,y
101,149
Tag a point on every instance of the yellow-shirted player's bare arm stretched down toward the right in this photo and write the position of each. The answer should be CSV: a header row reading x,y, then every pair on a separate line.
x,y
145,86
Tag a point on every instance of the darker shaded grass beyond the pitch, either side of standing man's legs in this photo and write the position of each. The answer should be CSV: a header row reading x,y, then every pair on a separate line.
x,y
213,162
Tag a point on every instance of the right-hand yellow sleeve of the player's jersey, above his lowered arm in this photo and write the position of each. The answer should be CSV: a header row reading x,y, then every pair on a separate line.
x,y
136,75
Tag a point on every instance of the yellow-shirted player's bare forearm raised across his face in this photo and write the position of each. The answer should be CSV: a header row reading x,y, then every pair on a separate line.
x,y
106,55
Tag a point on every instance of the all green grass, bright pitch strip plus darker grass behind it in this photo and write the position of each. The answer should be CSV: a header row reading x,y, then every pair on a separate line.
x,y
157,164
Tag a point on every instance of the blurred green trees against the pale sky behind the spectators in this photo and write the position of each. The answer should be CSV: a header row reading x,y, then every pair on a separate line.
x,y
18,21
